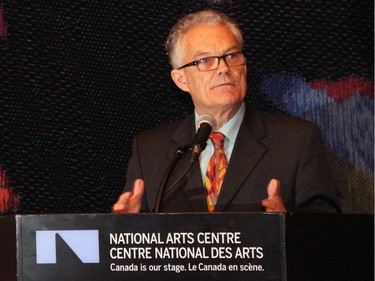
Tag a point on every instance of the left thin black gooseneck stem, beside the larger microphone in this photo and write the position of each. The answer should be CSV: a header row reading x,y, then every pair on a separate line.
x,y
178,154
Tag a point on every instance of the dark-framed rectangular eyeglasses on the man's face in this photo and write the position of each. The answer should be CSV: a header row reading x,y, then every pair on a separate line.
x,y
212,63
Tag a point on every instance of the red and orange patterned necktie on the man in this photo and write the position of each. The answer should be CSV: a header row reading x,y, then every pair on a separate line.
x,y
216,168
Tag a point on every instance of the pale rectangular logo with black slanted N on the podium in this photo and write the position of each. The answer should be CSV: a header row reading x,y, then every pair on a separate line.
x,y
84,243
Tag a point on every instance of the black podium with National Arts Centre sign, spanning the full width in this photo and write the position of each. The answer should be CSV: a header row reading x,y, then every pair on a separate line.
x,y
194,246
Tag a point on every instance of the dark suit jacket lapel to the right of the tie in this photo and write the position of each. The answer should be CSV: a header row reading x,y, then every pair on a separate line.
x,y
247,152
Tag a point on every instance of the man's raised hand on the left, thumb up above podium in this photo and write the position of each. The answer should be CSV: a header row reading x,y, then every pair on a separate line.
x,y
130,202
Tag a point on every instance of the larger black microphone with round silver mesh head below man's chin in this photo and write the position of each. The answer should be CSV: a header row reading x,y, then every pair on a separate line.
x,y
206,124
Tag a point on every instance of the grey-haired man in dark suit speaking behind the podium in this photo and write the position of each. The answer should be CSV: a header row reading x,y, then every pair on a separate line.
x,y
273,162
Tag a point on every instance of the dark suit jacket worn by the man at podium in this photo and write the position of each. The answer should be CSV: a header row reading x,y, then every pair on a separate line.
x,y
268,146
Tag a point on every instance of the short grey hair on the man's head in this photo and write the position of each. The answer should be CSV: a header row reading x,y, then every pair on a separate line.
x,y
205,17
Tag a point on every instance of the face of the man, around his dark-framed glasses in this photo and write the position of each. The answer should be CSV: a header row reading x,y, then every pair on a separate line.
x,y
215,91
